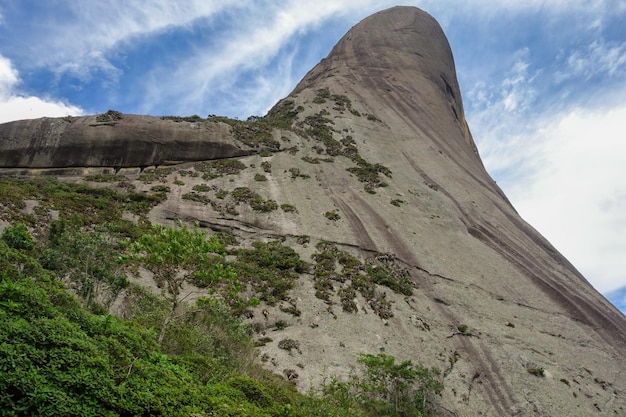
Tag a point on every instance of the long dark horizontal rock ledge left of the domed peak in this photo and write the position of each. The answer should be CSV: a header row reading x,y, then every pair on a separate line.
x,y
112,140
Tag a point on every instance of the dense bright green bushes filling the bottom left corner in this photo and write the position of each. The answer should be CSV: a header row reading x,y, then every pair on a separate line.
x,y
59,359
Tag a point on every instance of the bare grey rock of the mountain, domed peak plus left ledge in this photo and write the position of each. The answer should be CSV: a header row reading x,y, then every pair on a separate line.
x,y
382,165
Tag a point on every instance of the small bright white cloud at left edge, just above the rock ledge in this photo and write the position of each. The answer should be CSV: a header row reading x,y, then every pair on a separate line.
x,y
16,107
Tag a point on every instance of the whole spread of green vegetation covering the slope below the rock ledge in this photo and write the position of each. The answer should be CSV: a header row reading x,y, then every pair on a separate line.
x,y
63,353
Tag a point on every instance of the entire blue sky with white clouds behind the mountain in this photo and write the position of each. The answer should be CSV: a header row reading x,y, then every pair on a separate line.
x,y
543,84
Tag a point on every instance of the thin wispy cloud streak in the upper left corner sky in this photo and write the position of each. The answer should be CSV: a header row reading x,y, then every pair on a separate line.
x,y
102,26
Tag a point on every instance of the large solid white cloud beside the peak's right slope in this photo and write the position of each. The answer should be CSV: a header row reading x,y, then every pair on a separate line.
x,y
575,190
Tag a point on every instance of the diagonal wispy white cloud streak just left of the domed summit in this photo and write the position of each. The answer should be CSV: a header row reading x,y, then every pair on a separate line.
x,y
256,40
